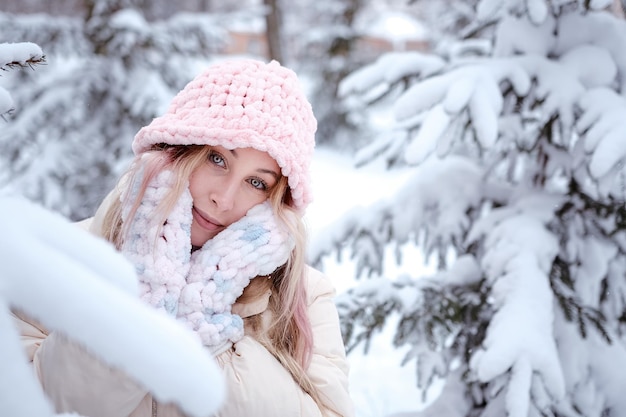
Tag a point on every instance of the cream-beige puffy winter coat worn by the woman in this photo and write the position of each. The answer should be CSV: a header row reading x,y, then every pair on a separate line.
x,y
258,386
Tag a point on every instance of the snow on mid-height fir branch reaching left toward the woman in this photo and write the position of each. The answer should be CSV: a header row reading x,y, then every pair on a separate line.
x,y
435,202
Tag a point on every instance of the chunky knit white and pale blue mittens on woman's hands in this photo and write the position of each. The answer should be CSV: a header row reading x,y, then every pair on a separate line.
x,y
200,288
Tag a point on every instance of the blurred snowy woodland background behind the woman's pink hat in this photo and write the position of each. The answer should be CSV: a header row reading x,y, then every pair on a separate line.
x,y
113,65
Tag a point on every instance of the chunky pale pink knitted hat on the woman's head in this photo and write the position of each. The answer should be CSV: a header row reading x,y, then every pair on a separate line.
x,y
243,104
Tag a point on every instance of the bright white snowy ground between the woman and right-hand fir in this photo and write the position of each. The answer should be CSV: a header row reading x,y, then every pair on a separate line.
x,y
339,187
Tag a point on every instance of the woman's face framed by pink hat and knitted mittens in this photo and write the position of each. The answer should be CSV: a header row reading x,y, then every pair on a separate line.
x,y
224,188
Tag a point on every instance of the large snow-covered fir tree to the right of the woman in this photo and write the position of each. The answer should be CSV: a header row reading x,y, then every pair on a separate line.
x,y
517,151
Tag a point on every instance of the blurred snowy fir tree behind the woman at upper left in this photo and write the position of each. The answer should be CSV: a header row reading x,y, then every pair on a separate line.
x,y
107,73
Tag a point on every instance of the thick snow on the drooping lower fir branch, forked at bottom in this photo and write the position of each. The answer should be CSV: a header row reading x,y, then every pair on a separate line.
x,y
518,259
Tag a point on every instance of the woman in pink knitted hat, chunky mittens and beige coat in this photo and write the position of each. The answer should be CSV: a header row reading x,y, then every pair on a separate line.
x,y
210,213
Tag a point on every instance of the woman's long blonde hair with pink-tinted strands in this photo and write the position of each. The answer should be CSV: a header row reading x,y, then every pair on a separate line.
x,y
289,337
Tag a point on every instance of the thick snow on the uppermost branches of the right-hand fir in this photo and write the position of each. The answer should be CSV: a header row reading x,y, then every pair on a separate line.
x,y
581,78
